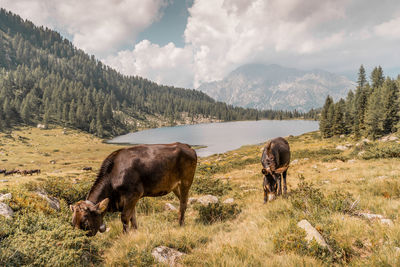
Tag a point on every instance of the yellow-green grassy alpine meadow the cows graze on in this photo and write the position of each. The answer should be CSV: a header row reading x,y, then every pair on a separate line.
x,y
326,186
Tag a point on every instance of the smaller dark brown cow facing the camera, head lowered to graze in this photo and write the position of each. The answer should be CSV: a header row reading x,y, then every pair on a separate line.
x,y
275,161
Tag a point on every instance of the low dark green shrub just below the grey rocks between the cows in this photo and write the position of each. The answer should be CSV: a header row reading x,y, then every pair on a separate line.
x,y
215,212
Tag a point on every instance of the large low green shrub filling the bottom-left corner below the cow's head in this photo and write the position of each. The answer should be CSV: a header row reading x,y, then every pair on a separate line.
x,y
35,239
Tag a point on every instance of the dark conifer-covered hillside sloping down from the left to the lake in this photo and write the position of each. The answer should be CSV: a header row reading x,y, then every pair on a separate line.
x,y
45,79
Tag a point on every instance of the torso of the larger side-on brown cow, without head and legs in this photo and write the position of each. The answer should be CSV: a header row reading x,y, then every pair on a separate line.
x,y
155,169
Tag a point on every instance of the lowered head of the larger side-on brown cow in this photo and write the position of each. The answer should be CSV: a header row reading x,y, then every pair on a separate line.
x,y
88,216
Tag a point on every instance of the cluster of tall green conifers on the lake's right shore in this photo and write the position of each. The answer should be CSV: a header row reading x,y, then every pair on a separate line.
x,y
371,111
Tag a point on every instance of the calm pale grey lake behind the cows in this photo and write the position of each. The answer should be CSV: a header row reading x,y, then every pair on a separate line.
x,y
219,137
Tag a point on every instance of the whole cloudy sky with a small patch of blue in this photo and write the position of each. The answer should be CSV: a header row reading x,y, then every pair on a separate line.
x,y
187,42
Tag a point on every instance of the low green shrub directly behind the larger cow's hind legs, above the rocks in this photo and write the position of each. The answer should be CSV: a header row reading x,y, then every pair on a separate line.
x,y
208,185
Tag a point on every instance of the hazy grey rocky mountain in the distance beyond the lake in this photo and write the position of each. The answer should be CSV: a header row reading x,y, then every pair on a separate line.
x,y
276,87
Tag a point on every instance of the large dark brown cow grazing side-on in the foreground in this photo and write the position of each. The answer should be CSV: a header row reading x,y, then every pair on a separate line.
x,y
129,174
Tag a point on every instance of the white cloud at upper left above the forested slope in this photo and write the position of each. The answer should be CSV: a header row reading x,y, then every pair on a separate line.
x,y
96,26
